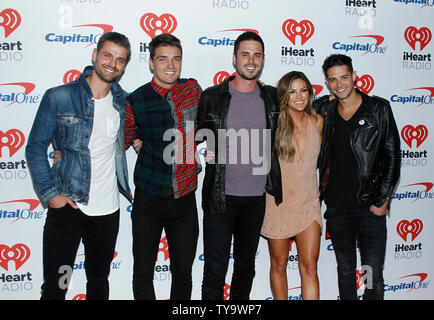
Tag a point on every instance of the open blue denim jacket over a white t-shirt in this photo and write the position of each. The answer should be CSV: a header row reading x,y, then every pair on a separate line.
x,y
65,119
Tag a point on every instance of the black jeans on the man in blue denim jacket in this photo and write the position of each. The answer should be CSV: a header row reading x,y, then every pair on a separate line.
x,y
63,230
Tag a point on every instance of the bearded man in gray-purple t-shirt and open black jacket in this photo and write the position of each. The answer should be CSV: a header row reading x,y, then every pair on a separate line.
x,y
233,198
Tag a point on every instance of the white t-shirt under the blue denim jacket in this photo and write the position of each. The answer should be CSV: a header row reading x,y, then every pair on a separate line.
x,y
104,193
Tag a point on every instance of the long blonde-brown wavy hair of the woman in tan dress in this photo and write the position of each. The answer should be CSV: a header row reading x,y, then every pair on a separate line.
x,y
285,125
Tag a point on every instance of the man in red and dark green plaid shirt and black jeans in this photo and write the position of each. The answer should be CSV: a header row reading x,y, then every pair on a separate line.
x,y
162,114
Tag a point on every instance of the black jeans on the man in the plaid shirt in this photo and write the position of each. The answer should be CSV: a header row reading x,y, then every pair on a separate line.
x,y
178,217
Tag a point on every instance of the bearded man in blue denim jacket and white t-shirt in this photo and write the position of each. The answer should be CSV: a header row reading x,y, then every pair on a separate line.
x,y
84,120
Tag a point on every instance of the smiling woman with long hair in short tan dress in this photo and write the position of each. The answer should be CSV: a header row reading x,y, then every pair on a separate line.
x,y
298,140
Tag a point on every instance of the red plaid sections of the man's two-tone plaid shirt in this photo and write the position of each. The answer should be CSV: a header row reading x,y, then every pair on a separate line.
x,y
184,99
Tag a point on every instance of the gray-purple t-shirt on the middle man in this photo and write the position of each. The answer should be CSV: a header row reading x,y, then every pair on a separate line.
x,y
246,127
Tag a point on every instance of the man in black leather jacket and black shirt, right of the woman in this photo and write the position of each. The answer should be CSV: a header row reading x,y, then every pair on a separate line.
x,y
359,166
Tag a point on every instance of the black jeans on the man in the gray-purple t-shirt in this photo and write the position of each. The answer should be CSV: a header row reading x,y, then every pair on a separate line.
x,y
243,219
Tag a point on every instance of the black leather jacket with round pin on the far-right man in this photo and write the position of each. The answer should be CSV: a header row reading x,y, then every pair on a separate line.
x,y
375,143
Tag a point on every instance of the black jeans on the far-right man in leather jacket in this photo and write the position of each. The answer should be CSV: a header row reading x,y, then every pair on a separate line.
x,y
370,233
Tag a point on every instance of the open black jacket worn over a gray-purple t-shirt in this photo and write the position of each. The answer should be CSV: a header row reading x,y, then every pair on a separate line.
x,y
213,112
